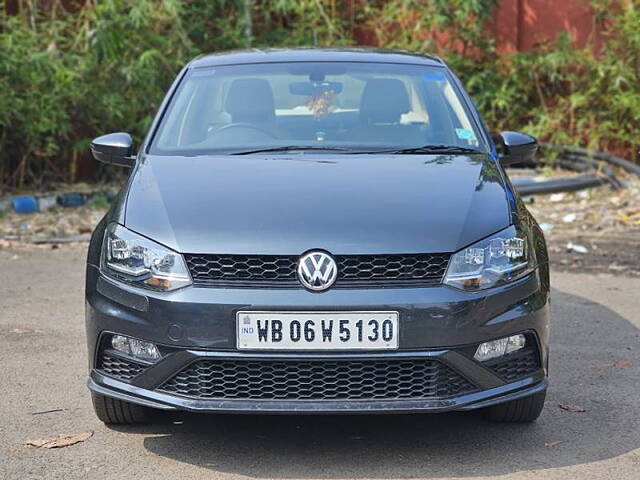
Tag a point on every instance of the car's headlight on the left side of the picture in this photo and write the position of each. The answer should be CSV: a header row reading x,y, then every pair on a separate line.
x,y
134,259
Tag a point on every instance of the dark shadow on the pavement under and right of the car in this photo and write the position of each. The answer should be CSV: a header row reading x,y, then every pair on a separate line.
x,y
584,350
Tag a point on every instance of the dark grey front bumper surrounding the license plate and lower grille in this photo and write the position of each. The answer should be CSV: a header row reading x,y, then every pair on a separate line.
x,y
437,324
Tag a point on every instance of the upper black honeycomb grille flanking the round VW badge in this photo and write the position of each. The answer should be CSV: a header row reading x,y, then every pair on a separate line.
x,y
353,270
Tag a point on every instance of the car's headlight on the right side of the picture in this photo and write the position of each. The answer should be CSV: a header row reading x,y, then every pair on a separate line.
x,y
493,261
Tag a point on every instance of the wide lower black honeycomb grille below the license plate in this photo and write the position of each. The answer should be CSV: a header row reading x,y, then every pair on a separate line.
x,y
342,379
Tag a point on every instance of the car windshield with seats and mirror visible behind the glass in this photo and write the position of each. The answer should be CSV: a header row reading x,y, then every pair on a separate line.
x,y
341,107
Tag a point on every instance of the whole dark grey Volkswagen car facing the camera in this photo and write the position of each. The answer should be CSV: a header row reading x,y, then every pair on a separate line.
x,y
317,231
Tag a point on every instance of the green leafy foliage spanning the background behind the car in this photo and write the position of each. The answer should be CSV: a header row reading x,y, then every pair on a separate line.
x,y
70,75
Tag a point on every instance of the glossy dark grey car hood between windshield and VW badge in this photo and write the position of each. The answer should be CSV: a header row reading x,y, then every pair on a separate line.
x,y
345,204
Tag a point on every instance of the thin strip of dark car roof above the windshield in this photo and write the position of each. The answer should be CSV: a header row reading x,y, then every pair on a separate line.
x,y
272,55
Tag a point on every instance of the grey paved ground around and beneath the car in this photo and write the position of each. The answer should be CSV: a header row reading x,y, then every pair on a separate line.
x,y
596,323
